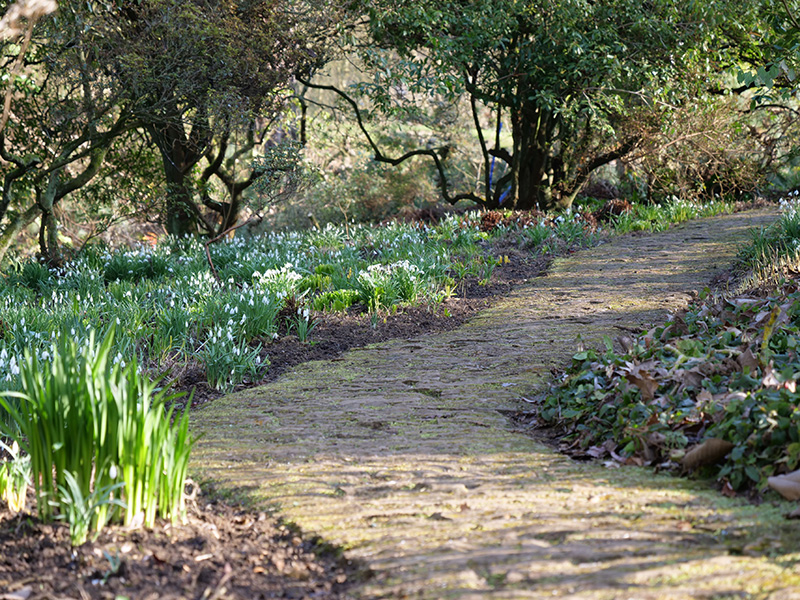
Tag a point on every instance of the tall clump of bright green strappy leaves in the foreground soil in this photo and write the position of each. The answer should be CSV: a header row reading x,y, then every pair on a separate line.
x,y
101,444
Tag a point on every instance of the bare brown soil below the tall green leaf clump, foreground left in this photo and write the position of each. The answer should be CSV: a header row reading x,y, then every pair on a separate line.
x,y
221,552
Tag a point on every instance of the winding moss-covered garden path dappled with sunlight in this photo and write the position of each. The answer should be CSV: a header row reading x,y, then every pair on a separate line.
x,y
401,453
